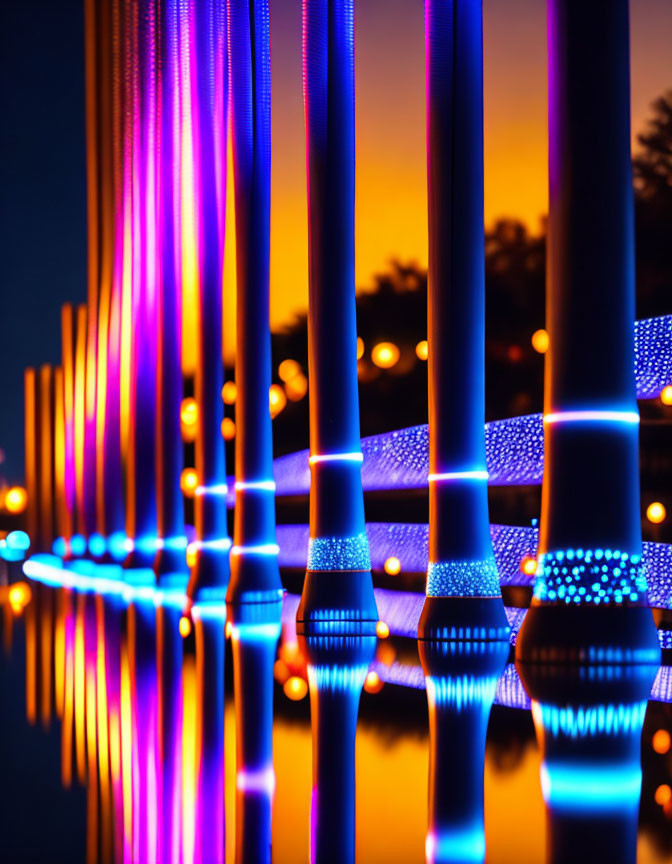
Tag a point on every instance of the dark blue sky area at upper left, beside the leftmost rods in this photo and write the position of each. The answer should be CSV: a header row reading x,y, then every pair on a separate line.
x,y
42,194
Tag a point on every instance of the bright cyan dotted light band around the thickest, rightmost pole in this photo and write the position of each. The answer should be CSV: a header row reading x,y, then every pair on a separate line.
x,y
577,576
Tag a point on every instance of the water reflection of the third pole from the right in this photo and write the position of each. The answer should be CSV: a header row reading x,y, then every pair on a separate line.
x,y
337,667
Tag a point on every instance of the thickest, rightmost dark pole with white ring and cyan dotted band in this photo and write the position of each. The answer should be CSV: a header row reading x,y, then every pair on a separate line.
x,y
590,533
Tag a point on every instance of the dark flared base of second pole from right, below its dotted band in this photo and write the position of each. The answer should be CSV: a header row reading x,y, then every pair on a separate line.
x,y
464,619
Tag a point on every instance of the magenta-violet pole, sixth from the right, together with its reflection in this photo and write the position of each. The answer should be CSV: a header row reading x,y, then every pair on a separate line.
x,y
170,564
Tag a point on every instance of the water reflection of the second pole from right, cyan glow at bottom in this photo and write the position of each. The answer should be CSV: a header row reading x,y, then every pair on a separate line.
x,y
461,679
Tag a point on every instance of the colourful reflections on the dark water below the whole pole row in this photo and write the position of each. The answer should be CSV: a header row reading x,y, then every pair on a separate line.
x,y
131,721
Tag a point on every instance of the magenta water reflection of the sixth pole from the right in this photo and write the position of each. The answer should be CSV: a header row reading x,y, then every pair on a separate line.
x,y
169,737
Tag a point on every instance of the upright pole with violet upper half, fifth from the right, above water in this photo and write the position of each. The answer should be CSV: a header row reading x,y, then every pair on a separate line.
x,y
208,74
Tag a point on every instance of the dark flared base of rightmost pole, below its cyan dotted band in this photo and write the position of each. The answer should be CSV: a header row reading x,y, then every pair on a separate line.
x,y
606,634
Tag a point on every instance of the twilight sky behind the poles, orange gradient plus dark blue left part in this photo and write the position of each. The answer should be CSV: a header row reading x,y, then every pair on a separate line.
x,y
42,172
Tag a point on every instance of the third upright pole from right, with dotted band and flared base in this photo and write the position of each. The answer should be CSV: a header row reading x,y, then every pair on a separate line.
x,y
338,540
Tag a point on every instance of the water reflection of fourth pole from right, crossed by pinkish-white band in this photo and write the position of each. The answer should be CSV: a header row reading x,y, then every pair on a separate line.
x,y
254,635
